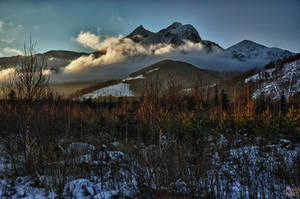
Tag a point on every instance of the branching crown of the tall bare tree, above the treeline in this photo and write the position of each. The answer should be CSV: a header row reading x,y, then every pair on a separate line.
x,y
31,81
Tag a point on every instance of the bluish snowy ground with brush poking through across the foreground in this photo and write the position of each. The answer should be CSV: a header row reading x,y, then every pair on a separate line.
x,y
237,170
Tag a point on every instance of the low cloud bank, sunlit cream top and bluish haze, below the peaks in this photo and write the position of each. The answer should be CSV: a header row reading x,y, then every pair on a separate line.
x,y
116,57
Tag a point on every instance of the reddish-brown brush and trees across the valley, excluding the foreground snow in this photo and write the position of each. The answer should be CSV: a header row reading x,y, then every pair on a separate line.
x,y
190,122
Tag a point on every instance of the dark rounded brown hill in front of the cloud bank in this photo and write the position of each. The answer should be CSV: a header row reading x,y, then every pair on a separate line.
x,y
169,72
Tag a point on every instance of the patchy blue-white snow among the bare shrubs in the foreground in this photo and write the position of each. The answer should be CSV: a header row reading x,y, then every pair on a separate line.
x,y
247,165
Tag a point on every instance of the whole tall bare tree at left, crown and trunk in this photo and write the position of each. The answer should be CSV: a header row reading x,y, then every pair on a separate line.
x,y
30,82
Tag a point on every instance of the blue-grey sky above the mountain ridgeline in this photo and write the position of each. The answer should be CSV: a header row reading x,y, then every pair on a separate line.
x,y
53,23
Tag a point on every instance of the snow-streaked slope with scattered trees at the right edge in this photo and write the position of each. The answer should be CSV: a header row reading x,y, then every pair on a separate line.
x,y
277,79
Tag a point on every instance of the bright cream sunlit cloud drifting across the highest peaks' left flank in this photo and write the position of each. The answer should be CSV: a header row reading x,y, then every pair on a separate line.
x,y
118,49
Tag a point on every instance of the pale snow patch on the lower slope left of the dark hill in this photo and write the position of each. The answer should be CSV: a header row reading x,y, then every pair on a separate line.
x,y
117,90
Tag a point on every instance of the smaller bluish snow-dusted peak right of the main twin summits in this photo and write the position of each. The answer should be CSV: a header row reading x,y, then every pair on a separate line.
x,y
248,50
